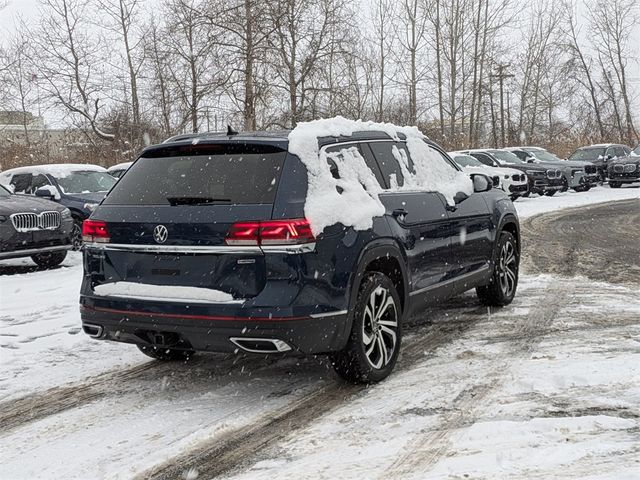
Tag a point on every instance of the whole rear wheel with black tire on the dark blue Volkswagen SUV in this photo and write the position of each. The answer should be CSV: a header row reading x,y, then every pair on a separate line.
x,y
373,347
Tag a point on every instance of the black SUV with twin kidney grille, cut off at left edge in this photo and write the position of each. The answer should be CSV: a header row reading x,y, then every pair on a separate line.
x,y
33,227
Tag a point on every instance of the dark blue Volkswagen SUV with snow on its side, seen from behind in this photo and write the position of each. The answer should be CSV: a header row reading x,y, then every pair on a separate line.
x,y
204,245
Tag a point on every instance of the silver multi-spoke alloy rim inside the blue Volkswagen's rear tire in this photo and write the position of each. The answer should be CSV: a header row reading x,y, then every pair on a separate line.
x,y
379,328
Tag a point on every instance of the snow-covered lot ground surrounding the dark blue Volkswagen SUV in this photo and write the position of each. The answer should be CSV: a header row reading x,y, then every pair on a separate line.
x,y
548,387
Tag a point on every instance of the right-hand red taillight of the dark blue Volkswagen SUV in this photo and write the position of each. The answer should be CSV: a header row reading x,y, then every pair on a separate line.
x,y
270,232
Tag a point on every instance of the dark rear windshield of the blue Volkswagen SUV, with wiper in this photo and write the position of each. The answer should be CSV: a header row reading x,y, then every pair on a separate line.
x,y
215,174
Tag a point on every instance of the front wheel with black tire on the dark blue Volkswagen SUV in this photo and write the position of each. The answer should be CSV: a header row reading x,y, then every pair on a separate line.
x,y
504,280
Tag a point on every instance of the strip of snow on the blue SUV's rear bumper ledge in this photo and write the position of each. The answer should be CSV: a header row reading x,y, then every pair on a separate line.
x,y
162,293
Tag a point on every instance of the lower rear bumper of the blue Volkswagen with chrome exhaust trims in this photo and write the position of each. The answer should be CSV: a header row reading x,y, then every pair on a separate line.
x,y
310,334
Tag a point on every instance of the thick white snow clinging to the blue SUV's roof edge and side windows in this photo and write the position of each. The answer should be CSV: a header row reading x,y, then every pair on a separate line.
x,y
353,198
